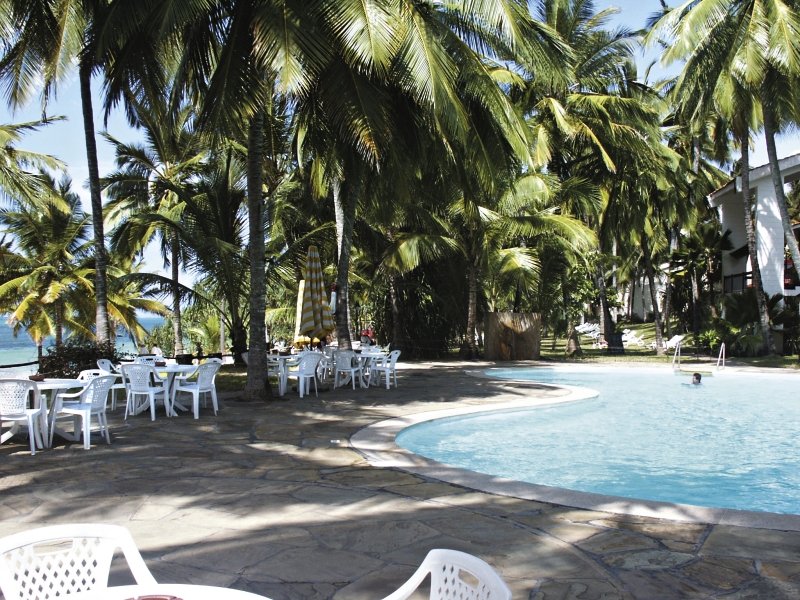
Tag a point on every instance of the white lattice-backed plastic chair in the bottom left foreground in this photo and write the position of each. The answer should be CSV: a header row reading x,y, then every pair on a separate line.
x,y
54,561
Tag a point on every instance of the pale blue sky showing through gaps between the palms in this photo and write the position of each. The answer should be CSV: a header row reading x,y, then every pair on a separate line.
x,y
65,139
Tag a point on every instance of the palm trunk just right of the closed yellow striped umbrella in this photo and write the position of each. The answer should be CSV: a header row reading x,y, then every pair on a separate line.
x,y
345,201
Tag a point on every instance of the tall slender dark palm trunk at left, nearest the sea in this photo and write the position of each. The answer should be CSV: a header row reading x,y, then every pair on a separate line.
x,y
102,335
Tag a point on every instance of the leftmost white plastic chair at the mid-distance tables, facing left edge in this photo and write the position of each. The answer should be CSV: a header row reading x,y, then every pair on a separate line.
x,y
14,396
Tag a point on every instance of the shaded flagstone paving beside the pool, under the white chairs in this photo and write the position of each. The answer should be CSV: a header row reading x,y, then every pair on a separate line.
x,y
272,498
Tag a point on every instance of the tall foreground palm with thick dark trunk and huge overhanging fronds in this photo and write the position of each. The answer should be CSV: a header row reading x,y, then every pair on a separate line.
x,y
336,51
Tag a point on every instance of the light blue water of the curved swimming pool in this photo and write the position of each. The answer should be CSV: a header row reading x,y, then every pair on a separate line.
x,y
731,442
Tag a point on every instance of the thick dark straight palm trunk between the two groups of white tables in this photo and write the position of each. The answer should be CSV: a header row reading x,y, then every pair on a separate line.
x,y
256,386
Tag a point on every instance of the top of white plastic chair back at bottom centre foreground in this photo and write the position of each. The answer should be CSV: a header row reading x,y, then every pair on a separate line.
x,y
447,569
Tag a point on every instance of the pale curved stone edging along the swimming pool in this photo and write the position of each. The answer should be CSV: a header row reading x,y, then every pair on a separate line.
x,y
376,443
